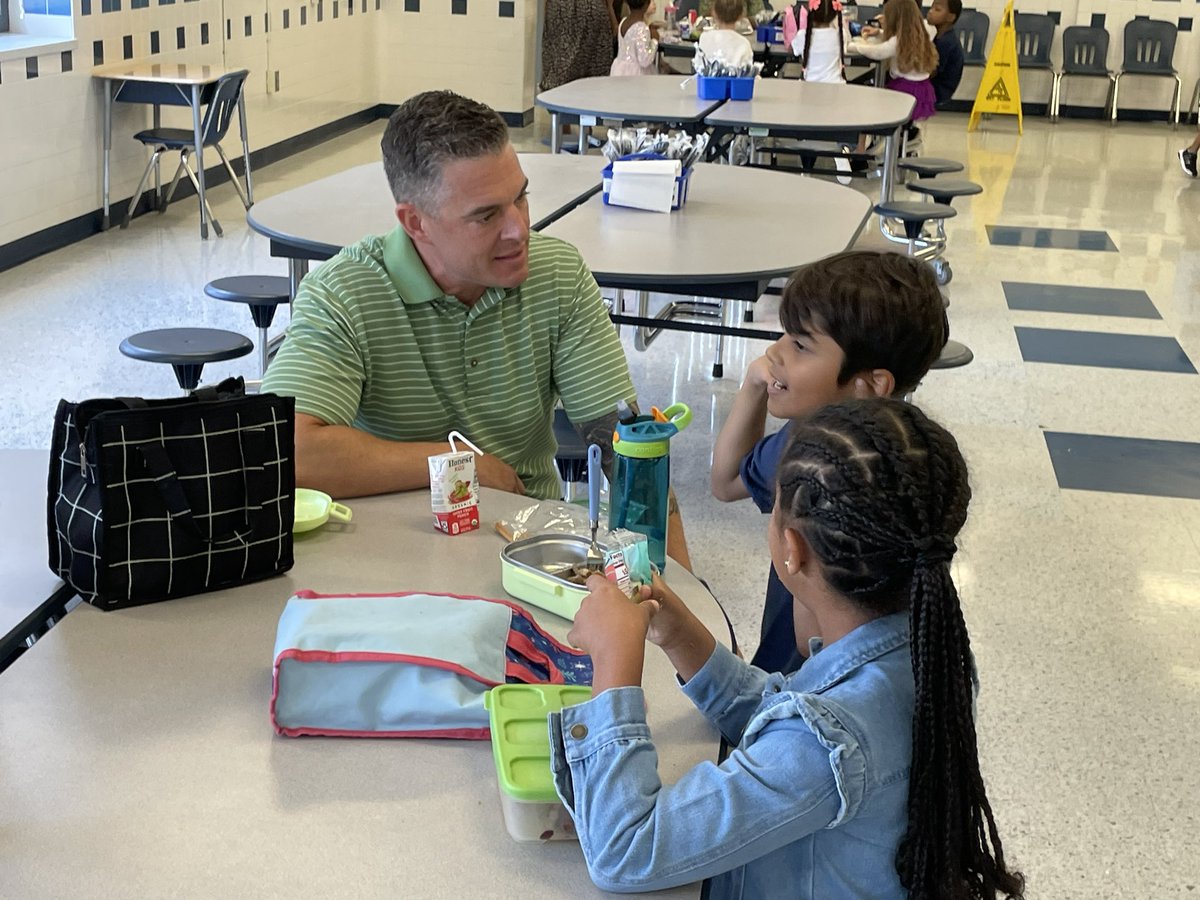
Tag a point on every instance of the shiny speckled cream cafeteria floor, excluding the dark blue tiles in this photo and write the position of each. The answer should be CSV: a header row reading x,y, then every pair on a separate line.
x,y
1084,605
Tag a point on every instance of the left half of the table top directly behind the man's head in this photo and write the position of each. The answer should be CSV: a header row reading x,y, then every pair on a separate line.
x,y
325,217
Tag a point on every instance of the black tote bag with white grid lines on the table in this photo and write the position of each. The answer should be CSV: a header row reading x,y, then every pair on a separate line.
x,y
152,500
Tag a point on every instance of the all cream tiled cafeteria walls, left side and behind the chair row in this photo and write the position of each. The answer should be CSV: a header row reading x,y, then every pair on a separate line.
x,y
333,63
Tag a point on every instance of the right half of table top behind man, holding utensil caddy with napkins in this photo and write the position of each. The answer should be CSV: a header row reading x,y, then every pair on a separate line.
x,y
719,236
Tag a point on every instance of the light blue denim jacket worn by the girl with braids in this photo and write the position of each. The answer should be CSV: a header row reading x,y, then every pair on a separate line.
x,y
812,803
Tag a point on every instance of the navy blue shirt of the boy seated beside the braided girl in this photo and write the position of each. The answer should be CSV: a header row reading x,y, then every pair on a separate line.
x,y
777,640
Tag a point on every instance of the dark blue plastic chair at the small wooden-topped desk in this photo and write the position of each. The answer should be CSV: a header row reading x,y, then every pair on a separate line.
x,y
217,122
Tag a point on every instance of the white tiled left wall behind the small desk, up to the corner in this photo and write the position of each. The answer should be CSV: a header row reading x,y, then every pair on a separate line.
x,y
51,124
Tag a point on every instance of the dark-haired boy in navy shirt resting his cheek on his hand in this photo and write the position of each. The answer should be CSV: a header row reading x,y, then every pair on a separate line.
x,y
856,325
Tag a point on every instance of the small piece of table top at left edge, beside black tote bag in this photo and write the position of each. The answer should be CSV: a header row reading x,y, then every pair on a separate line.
x,y
28,580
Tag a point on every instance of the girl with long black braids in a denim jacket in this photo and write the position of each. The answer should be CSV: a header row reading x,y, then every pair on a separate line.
x,y
855,777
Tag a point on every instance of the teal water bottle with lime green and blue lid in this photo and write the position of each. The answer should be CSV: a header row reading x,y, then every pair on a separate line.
x,y
641,477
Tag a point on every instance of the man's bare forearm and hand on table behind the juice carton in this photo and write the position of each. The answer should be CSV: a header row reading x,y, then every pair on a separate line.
x,y
344,461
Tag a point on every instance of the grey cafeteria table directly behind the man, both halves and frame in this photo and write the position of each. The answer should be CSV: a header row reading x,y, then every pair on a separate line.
x,y
715,248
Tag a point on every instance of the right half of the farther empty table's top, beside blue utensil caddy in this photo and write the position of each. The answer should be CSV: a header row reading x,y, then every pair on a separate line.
x,y
800,107
